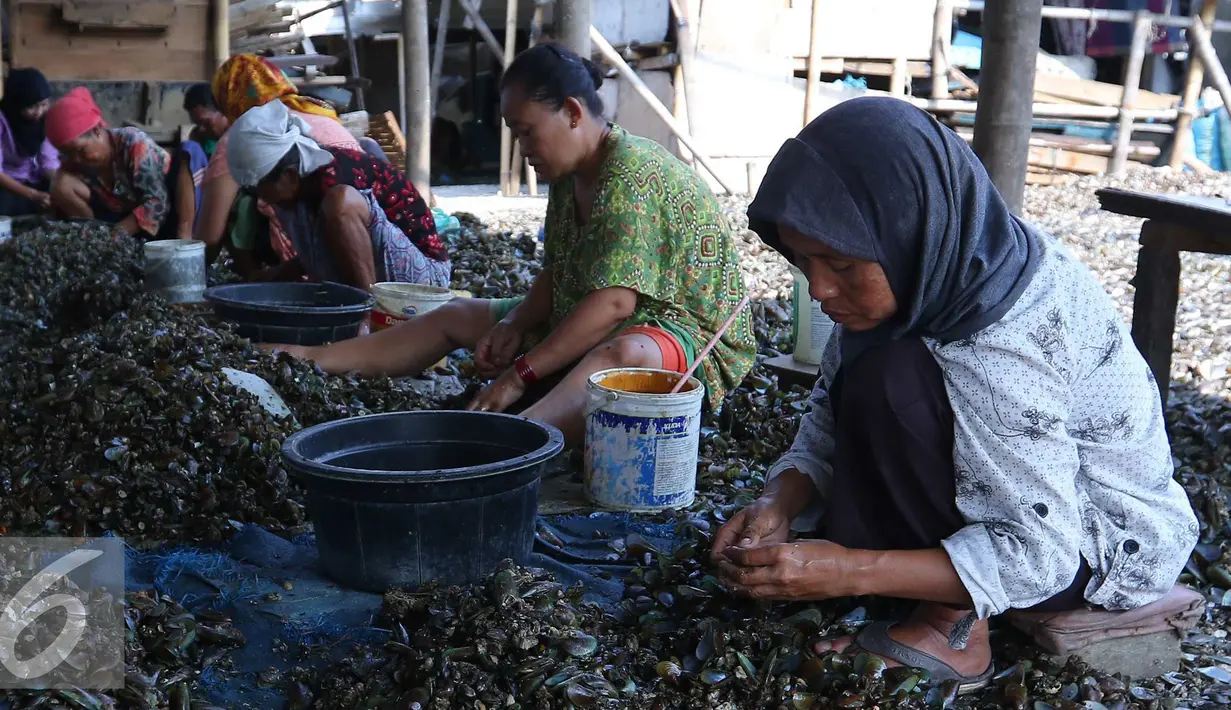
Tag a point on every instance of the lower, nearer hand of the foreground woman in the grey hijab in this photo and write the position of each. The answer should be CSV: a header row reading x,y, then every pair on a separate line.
x,y
788,572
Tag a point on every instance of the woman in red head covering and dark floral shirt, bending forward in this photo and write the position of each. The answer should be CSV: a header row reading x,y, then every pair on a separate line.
x,y
118,175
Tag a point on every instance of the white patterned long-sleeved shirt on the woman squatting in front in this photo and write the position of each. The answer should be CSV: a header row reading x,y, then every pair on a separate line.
x,y
1061,451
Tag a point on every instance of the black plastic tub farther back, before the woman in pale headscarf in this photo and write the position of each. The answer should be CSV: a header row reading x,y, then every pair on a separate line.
x,y
292,313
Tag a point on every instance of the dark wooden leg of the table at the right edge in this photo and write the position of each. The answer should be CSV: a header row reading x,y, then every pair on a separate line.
x,y
1154,305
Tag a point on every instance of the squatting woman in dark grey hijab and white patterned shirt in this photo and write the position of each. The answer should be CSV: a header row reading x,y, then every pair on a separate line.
x,y
983,439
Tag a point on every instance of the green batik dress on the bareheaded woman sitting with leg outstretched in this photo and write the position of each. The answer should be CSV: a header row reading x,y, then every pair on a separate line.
x,y
656,228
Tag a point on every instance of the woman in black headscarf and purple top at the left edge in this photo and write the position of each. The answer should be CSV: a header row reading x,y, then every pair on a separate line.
x,y
28,161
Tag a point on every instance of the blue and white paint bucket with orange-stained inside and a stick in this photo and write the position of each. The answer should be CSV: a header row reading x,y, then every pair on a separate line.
x,y
641,441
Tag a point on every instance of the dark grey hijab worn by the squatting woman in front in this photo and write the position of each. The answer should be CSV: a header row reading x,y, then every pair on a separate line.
x,y
880,180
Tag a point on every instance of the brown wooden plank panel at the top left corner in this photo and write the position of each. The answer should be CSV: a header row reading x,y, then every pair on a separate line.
x,y
65,51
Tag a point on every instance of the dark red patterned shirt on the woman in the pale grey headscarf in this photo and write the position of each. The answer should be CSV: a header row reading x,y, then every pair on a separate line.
x,y
399,200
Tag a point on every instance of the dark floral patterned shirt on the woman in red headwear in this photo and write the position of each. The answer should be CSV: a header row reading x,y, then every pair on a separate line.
x,y
140,173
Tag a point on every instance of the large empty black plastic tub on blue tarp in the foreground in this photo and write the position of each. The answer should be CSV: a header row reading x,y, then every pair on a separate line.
x,y
404,499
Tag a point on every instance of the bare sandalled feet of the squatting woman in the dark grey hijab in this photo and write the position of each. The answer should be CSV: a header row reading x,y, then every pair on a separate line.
x,y
929,631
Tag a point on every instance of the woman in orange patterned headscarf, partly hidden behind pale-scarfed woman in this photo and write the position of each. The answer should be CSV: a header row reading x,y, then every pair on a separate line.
x,y
246,82
